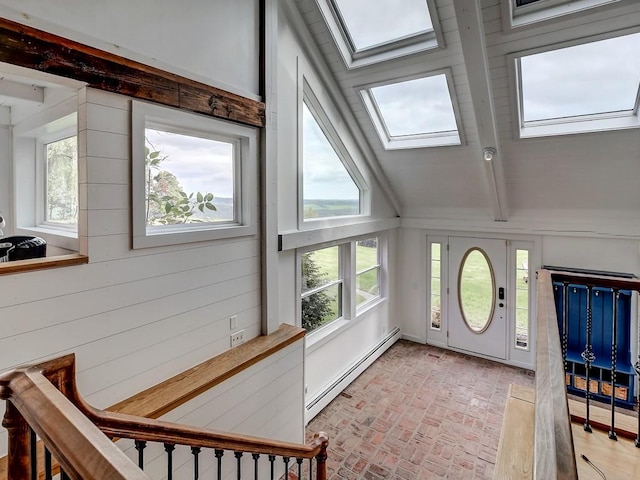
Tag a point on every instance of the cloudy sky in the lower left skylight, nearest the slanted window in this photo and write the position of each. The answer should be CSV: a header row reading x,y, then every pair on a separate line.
x,y
416,106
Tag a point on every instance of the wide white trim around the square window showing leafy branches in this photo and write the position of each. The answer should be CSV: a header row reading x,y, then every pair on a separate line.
x,y
156,116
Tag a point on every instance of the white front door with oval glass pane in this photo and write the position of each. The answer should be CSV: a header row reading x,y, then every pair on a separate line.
x,y
477,295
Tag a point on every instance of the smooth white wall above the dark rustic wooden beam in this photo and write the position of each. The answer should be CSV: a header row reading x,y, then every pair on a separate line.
x,y
215,42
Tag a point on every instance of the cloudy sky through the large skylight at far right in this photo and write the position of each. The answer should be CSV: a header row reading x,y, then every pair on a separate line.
x,y
596,77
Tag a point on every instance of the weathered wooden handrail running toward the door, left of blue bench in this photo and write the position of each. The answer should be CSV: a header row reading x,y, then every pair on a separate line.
x,y
554,456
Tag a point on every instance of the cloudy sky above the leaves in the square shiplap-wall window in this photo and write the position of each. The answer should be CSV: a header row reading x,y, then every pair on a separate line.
x,y
200,164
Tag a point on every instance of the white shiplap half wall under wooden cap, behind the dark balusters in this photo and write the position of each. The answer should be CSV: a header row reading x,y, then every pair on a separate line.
x,y
263,400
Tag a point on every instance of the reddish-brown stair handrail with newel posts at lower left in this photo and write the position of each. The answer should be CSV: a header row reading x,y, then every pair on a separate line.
x,y
46,396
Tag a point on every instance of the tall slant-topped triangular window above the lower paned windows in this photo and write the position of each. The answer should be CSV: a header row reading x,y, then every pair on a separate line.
x,y
328,185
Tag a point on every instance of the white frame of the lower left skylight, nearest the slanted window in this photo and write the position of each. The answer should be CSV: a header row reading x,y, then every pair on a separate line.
x,y
436,139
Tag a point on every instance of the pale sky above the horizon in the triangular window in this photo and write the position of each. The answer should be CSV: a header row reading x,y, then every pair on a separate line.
x,y
324,177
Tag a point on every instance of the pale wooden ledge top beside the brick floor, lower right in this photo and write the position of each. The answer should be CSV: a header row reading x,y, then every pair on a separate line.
x,y
515,450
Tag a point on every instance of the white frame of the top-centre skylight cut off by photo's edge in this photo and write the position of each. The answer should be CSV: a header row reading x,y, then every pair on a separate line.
x,y
384,52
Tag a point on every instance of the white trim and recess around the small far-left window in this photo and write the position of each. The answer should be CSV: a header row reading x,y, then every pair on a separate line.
x,y
59,121
